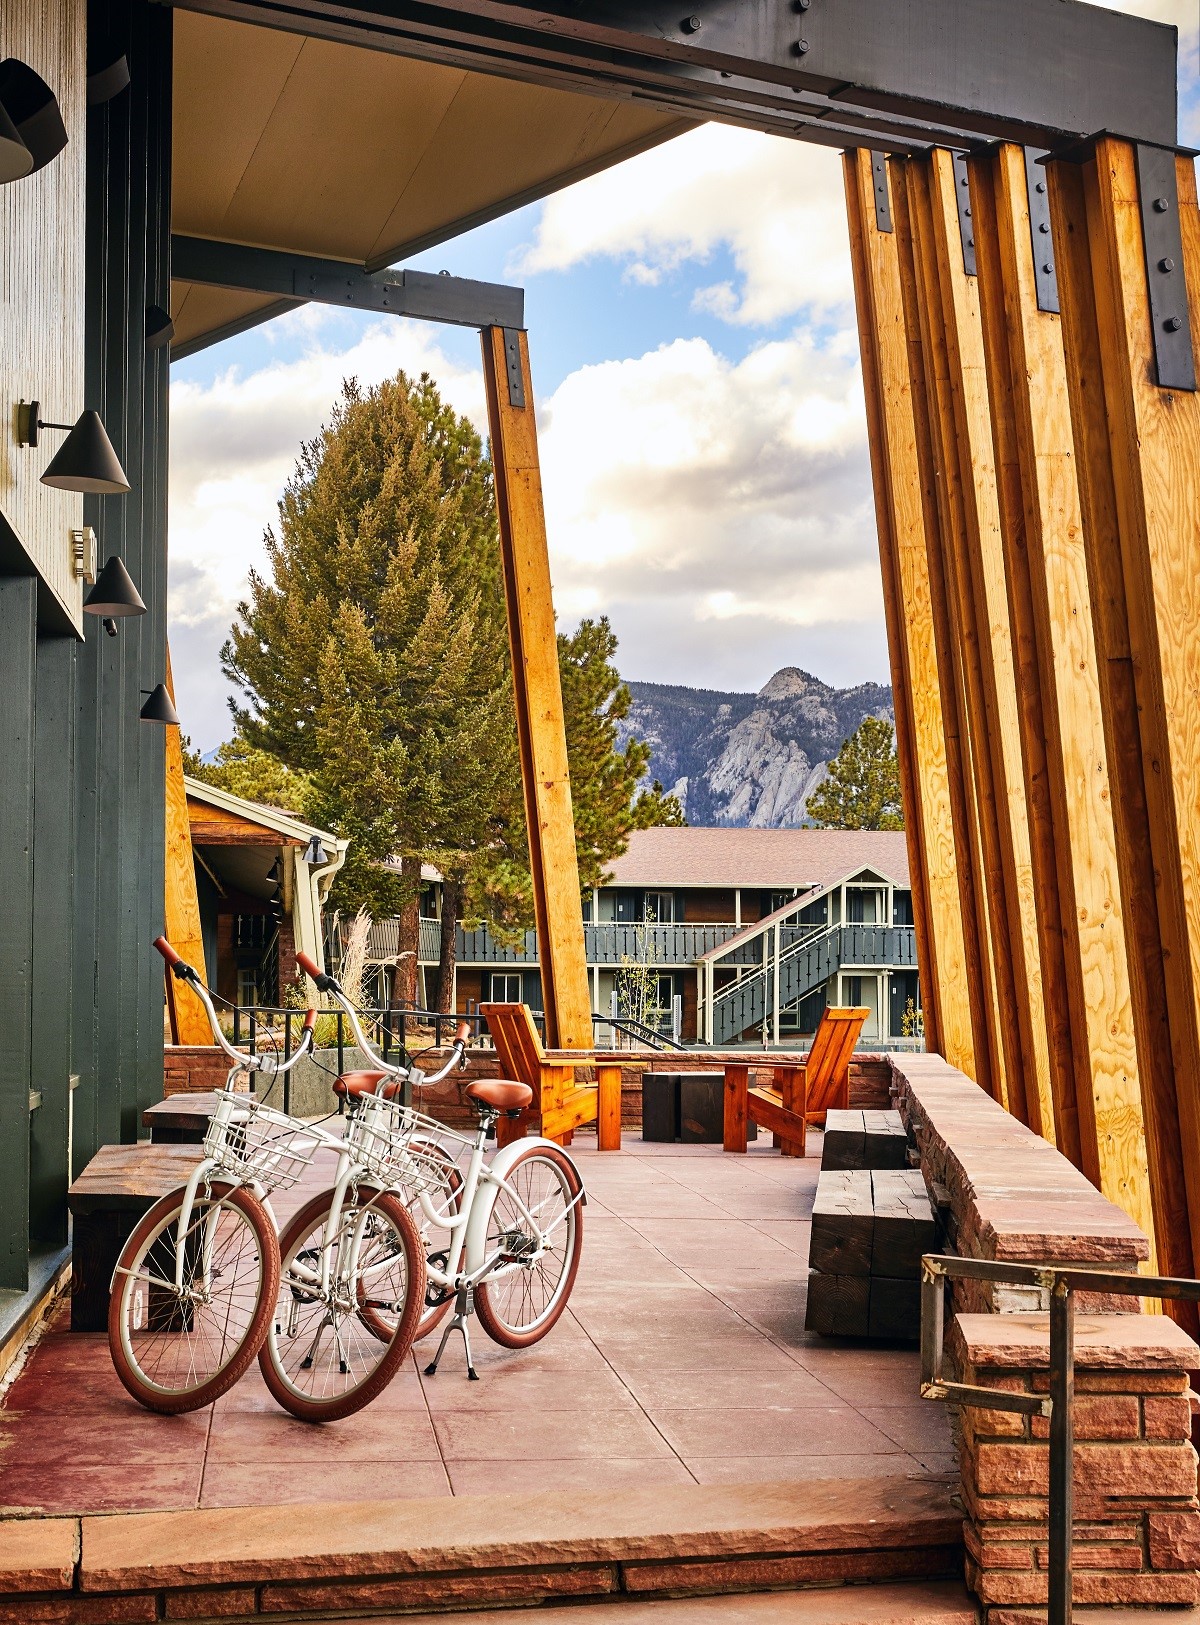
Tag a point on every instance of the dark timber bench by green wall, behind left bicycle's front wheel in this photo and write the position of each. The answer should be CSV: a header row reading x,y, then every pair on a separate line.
x,y
118,1187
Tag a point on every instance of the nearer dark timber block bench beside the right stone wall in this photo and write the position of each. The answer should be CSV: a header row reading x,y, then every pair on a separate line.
x,y
871,1229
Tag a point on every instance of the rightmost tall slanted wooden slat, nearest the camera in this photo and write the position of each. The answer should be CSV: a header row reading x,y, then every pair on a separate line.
x,y
1139,459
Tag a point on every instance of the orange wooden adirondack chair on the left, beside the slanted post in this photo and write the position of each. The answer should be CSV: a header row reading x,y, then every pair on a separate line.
x,y
560,1103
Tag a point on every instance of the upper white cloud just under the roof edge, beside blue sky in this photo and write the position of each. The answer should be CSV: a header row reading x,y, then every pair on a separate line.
x,y
776,206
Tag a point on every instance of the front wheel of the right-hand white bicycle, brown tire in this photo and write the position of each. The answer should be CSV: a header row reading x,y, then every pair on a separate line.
x,y
320,1359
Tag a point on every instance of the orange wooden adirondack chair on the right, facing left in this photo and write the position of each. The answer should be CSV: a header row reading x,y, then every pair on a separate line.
x,y
801,1094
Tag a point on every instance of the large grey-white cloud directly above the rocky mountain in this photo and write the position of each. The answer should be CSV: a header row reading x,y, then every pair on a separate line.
x,y
720,514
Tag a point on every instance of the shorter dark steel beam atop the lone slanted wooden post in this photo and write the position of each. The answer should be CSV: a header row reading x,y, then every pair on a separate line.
x,y
298,279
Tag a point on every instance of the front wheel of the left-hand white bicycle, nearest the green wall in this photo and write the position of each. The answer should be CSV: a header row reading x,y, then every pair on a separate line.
x,y
178,1348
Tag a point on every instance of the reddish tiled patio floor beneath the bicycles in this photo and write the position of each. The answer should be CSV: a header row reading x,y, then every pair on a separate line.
x,y
682,1361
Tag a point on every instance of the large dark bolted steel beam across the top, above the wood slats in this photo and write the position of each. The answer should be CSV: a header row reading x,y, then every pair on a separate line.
x,y
1033,72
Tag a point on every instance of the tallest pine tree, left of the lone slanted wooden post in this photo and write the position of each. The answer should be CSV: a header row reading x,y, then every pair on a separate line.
x,y
373,656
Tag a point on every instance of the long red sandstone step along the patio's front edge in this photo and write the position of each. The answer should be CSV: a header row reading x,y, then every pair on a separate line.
x,y
484,1551
